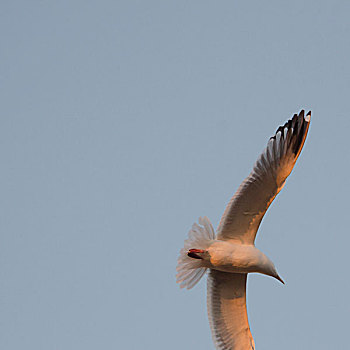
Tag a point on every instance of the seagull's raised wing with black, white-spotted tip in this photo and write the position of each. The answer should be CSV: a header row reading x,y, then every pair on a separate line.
x,y
247,207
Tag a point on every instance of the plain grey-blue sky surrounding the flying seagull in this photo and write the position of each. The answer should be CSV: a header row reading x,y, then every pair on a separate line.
x,y
124,121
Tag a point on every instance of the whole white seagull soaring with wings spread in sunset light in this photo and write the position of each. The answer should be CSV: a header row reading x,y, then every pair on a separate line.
x,y
231,254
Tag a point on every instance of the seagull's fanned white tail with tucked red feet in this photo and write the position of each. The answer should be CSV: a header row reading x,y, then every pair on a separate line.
x,y
190,264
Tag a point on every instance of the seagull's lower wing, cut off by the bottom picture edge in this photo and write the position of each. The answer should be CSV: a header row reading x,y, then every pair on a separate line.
x,y
227,311
